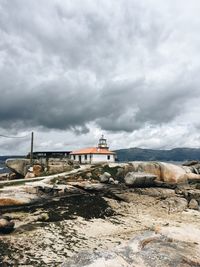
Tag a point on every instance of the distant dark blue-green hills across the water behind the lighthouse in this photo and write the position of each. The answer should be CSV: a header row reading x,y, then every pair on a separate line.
x,y
176,154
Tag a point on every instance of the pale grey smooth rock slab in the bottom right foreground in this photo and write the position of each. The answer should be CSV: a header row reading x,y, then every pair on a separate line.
x,y
165,246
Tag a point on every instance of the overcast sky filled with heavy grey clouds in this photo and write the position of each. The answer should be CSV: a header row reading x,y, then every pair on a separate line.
x,y
72,70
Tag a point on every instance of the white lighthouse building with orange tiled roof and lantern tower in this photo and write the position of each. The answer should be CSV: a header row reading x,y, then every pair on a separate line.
x,y
97,154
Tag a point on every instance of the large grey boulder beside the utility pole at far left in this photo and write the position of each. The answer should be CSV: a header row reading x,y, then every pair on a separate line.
x,y
19,166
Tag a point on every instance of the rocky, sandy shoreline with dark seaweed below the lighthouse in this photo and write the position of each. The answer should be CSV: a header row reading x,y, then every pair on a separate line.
x,y
146,215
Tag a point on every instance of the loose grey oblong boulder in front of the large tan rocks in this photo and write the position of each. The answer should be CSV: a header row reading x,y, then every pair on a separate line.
x,y
139,179
